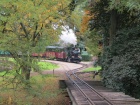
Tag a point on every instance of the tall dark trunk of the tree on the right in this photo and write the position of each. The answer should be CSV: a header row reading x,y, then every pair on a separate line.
x,y
113,21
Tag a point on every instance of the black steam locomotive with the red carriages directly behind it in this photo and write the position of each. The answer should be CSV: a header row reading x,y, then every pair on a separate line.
x,y
68,54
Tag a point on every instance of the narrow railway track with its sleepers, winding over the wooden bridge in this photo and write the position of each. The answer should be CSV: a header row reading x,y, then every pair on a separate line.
x,y
91,96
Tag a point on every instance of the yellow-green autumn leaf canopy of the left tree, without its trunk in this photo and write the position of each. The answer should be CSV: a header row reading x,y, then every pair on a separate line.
x,y
27,21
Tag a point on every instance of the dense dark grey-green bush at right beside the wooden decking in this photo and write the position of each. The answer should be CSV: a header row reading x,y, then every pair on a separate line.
x,y
121,64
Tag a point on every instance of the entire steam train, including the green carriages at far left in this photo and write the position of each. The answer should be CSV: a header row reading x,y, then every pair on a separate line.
x,y
68,54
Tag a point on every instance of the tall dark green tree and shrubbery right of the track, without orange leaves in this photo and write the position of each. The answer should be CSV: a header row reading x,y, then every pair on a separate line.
x,y
118,22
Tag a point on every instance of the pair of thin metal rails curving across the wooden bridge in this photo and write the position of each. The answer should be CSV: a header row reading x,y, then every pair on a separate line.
x,y
76,82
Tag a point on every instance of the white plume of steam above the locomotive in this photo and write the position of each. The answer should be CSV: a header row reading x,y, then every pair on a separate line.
x,y
68,36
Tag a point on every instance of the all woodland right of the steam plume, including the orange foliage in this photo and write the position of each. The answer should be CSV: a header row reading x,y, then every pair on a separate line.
x,y
112,32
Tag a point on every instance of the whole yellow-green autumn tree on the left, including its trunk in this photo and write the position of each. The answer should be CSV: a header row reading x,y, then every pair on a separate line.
x,y
24,23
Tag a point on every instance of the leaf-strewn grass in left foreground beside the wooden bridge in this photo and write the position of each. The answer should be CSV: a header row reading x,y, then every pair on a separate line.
x,y
44,91
